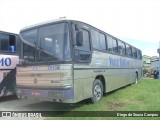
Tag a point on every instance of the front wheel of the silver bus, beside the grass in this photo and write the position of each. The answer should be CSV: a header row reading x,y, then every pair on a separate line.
x,y
97,91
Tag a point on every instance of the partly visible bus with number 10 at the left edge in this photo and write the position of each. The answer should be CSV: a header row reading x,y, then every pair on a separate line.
x,y
8,60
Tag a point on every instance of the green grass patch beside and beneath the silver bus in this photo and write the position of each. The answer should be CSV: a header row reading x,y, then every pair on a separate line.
x,y
144,96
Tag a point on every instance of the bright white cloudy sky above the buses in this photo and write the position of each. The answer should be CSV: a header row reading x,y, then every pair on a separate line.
x,y
134,21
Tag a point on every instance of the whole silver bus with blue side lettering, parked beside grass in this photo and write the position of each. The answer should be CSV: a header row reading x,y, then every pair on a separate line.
x,y
69,61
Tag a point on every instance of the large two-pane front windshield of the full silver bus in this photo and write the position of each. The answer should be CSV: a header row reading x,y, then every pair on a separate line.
x,y
51,43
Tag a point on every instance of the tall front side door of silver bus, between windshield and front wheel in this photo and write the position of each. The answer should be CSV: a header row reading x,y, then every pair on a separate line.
x,y
82,54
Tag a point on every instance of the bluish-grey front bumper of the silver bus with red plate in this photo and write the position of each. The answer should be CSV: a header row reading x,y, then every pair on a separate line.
x,y
52,94
